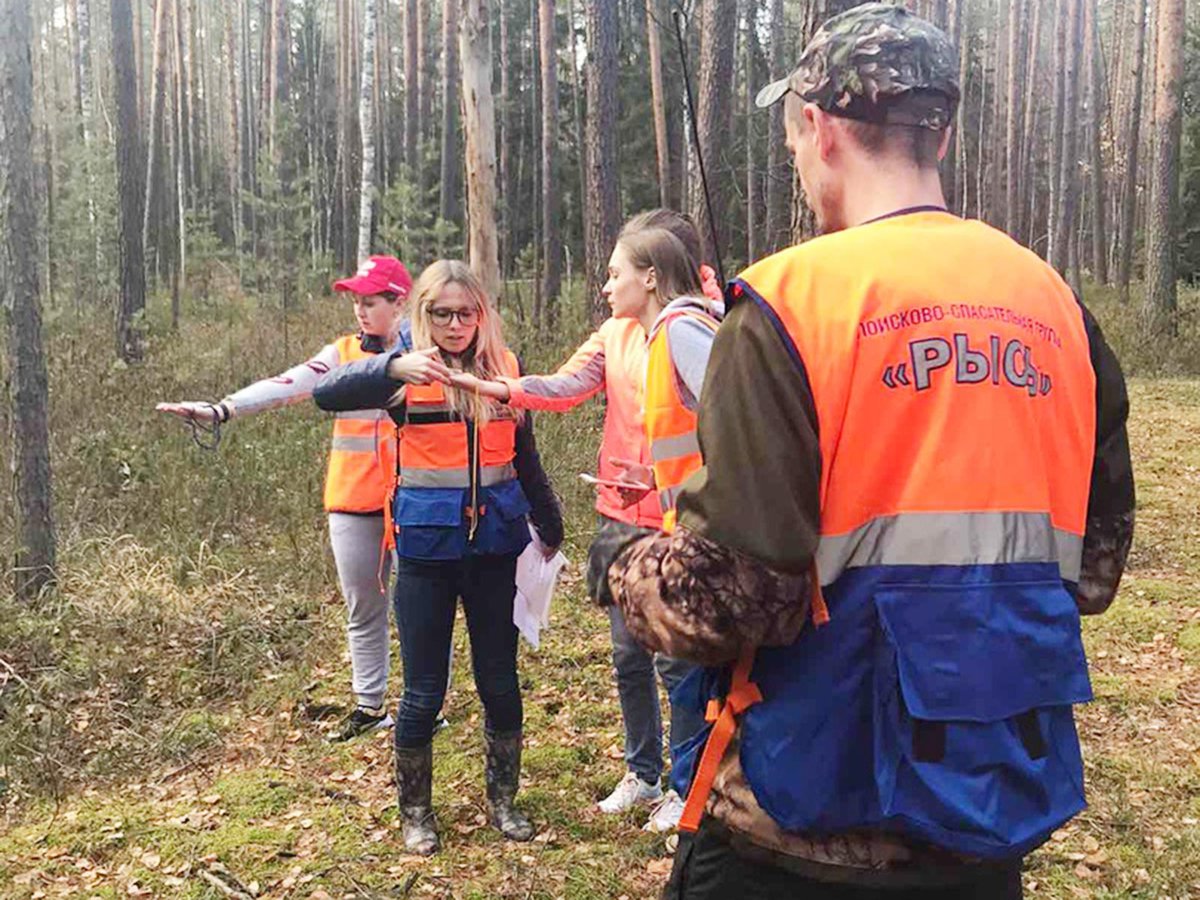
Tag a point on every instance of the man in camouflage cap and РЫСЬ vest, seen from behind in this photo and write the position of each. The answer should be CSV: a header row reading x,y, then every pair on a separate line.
x,y
905,422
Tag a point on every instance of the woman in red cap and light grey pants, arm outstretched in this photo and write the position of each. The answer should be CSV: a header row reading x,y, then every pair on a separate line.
x,y
362,467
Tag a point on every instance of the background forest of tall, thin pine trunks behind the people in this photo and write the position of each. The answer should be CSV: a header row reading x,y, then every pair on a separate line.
x,y
175,135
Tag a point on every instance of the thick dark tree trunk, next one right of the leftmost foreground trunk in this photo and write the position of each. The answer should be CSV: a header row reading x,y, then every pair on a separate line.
x,y
130,185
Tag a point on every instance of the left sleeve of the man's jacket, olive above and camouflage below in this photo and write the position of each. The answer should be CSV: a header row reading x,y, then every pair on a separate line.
x,y
736,572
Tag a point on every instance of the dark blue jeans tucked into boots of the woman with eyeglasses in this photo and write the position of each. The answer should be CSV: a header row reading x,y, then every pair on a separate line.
x,y
425,601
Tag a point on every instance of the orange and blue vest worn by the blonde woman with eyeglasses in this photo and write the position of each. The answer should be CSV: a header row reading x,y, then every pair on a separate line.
x,y
458,491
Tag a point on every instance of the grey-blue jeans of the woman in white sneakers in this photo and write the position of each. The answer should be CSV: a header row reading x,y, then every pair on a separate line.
x,y
639,693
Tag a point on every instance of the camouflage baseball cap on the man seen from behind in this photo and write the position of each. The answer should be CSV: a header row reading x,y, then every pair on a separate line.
x,y
877,63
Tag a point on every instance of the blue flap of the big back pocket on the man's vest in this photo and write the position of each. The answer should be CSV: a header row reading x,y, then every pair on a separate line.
x,y
983,653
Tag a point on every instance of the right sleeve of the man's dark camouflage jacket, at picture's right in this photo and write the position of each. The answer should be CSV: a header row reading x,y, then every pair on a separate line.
x,y
1111,503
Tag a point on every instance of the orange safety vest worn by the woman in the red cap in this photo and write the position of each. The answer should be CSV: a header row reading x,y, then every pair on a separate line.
x,y
362,458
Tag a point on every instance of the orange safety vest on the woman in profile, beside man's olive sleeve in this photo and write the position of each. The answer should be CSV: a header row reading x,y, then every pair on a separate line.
x,y
670,425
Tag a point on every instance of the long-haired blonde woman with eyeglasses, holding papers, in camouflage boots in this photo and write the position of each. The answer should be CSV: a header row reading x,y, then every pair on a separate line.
x,y
470,482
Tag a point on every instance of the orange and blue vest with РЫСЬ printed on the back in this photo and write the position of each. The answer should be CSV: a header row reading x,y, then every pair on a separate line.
x,y
957,421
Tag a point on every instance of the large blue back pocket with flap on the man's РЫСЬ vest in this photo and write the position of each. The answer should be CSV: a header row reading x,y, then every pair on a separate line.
x,y
975,740
